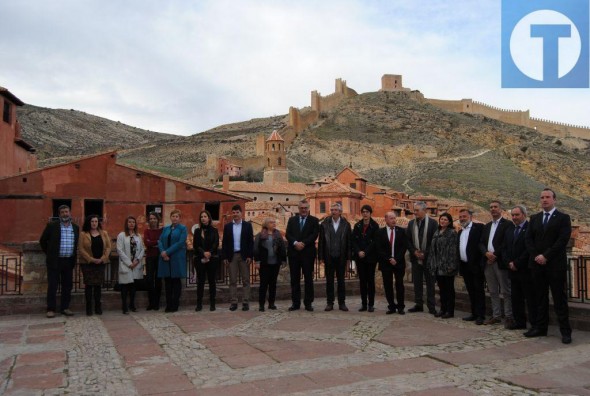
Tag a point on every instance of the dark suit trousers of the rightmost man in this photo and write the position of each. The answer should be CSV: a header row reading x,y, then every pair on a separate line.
x,y
555,281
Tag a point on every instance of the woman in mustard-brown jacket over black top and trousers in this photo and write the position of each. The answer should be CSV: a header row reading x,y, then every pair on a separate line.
x,y
94,250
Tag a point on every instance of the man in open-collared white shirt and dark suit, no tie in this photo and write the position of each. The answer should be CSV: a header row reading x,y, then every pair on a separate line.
x,y
470,265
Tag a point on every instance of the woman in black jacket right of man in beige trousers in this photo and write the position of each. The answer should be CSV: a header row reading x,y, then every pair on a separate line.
x,y
270,252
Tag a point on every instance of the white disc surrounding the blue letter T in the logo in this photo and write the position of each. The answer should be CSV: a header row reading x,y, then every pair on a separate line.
x,y
527,51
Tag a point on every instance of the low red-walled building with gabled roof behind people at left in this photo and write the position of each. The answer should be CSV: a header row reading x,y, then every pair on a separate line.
x,y
99,185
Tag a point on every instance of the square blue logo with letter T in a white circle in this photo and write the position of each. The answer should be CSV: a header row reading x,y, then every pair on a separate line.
x,y
545,44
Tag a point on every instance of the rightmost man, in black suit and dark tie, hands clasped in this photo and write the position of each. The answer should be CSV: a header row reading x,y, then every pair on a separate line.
x,y
547,237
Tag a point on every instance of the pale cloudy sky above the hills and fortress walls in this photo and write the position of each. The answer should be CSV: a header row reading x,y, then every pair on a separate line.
x,y
183,67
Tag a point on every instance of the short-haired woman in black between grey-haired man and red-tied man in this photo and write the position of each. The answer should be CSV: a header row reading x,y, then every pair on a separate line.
x,y
365,256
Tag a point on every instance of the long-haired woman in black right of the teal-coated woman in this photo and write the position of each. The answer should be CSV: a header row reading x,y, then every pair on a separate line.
x,y
205,246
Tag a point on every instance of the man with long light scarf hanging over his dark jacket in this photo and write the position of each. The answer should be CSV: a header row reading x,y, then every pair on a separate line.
x,y
419,232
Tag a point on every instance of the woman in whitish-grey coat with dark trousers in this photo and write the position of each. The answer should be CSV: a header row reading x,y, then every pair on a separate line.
x,y
131,251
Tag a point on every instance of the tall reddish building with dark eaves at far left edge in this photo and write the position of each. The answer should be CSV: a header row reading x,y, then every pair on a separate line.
x,y
16,155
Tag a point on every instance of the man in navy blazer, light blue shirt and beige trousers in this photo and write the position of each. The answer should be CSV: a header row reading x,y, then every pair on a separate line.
x,y
238,252
